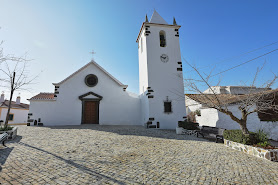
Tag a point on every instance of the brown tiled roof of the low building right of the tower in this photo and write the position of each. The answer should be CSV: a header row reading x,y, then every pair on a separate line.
x,y
226,99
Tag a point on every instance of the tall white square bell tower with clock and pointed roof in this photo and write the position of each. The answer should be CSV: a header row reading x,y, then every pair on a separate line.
x,y
160,73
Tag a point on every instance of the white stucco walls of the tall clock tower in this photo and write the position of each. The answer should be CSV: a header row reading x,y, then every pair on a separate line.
x,y
162,78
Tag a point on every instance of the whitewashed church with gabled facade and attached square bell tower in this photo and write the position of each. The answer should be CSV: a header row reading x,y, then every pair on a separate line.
x,y
93,96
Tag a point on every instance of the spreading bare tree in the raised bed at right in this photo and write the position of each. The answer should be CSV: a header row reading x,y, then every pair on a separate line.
x,y
249,103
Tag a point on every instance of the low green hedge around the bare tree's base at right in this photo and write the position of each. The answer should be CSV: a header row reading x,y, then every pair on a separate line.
x,y
251,139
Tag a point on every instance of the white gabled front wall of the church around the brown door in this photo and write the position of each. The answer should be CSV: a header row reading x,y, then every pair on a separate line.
x,y
117,107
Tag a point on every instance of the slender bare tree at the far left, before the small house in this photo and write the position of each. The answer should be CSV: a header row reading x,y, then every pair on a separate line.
x,y
13,75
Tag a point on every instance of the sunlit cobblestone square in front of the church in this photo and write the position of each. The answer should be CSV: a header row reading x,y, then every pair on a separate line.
x,y
125,155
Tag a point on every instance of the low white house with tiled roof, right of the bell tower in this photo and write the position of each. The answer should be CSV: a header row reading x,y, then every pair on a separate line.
x,y
212,117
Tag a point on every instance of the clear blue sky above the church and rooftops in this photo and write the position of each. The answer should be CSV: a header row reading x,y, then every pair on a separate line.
x,y
59,36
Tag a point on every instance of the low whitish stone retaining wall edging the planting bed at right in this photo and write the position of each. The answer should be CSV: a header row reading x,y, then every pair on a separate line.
x,y
267,154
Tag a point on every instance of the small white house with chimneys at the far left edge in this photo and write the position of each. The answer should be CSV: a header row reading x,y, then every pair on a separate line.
x,y
18,112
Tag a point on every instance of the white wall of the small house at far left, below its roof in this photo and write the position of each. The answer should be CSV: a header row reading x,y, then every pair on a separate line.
x,y
20,115
